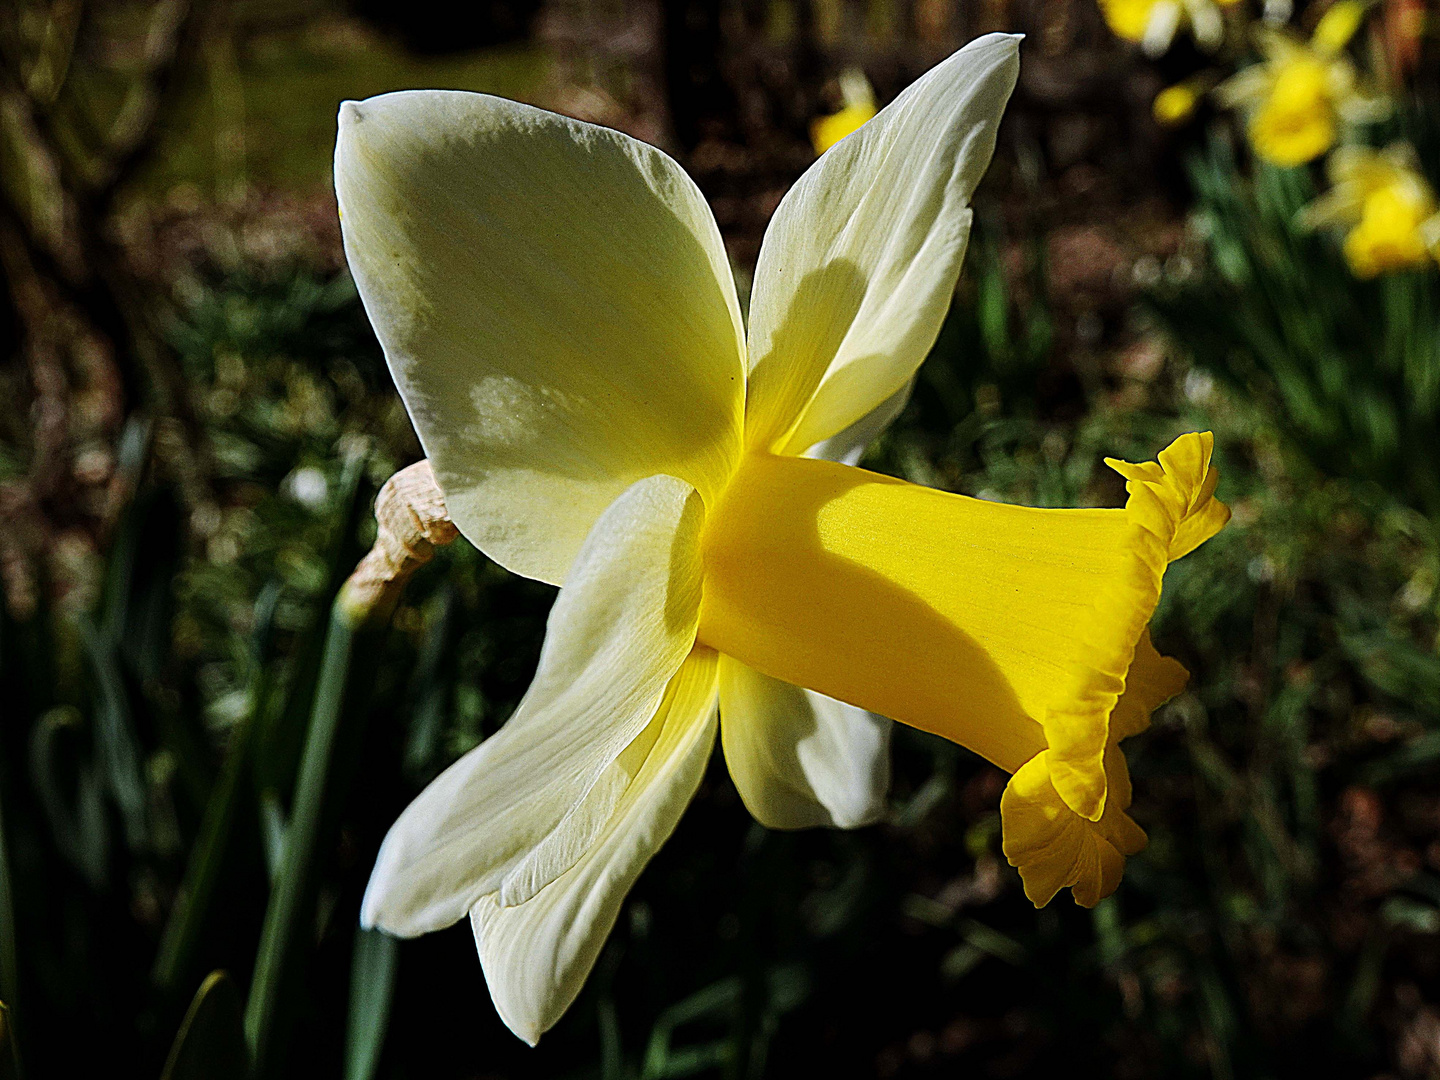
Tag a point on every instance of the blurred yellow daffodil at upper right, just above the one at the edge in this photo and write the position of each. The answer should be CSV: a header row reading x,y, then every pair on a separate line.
x,y
1302,93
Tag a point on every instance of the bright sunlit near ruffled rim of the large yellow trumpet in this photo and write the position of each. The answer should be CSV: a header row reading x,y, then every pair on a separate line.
x,y
1171,510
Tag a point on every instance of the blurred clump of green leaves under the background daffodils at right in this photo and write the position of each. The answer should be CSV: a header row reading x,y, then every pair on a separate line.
x,y
1349,371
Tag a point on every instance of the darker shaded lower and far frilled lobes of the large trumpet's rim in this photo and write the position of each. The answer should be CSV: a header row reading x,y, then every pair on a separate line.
x,y
1050,845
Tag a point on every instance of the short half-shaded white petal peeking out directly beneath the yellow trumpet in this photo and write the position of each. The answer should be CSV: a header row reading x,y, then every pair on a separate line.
x,y
798,758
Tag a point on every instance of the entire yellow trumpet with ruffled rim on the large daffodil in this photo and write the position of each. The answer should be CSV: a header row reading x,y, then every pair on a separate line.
x,y
1012,631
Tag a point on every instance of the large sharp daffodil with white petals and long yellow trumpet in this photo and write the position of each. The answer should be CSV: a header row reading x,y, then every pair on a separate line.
x,y
559,315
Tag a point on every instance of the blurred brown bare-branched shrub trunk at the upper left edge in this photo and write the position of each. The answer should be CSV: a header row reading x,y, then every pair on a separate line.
x,y
87,341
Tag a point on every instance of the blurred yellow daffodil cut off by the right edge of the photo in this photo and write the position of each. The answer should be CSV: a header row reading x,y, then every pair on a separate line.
x,y
1386,205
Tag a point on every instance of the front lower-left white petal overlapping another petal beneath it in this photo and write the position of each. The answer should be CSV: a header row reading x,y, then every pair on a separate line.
x,y
620,630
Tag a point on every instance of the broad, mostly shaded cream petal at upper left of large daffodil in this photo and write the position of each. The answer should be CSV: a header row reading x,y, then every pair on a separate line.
x,y
555,305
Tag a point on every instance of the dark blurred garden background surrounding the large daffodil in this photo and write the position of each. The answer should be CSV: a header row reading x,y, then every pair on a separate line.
x,y
195,418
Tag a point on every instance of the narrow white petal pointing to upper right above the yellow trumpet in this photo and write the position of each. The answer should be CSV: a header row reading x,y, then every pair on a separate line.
x,y
860,261
